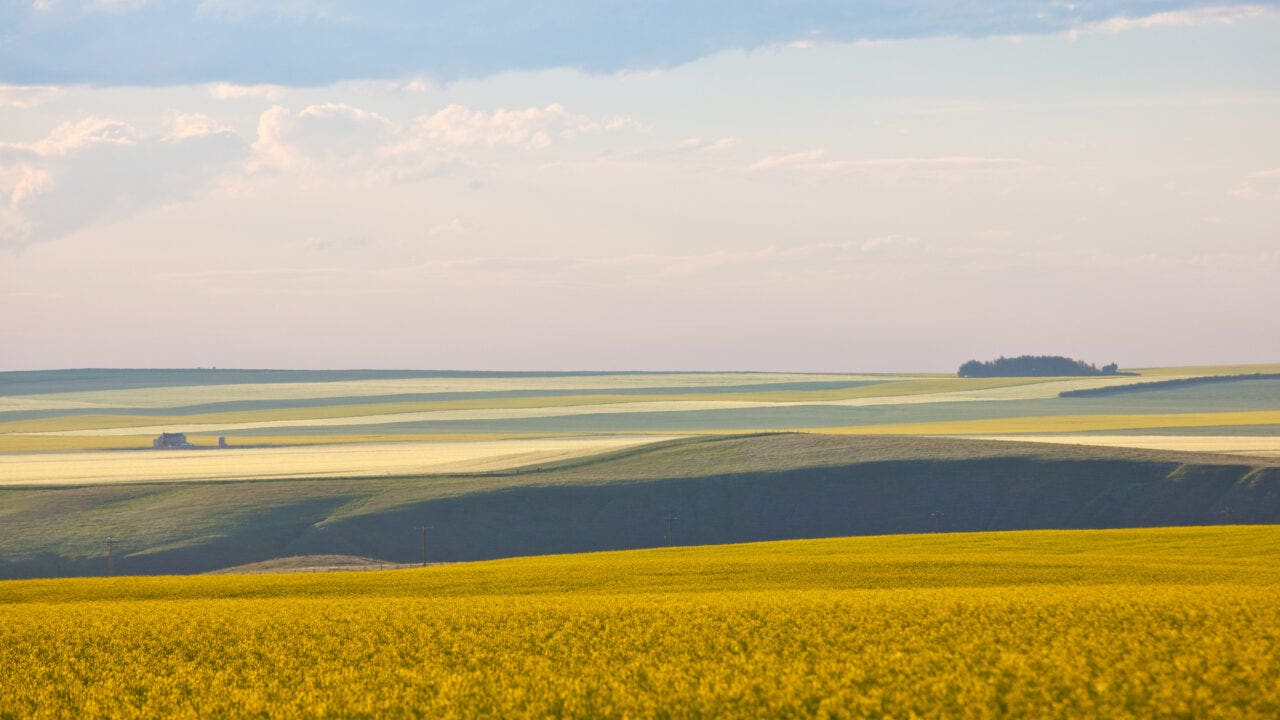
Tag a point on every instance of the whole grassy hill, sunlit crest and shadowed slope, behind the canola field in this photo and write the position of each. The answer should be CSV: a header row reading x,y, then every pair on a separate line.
x,y
715,491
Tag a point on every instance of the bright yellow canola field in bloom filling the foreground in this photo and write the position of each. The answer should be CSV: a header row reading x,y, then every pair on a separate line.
x,y
1107,625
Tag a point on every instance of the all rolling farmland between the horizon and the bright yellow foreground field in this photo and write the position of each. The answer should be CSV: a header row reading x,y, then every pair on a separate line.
x,y
351,462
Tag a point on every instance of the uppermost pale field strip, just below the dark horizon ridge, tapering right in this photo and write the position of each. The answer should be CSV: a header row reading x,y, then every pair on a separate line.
x,y
203,395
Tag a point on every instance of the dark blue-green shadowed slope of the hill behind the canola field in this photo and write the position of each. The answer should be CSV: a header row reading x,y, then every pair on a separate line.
x,y
876,498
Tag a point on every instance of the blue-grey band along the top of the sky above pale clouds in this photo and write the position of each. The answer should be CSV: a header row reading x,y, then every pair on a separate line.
x,y
321,43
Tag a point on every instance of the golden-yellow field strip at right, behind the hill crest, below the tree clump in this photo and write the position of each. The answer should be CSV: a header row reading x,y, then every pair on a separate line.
x,y
1062,425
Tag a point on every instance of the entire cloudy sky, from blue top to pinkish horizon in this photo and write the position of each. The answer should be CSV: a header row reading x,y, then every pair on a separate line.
x,y
703,186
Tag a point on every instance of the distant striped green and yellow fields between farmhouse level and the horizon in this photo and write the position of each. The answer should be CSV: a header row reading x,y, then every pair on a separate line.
x,y
117,409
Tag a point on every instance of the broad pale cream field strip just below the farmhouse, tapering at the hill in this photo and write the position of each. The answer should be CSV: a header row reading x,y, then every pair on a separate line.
x,y
310,462
